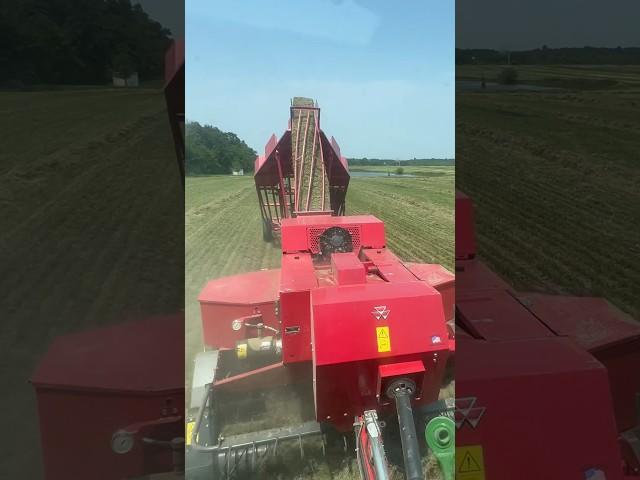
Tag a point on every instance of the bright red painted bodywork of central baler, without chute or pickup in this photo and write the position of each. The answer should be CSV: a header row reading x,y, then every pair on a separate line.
x,y
329,314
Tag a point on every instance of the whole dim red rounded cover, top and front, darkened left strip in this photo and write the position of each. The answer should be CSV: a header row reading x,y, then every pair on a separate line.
x,y
90,385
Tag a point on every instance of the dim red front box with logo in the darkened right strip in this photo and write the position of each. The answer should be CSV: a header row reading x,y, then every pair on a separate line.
x,y
541,409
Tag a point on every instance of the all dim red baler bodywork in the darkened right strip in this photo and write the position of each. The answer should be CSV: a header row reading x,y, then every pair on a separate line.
x,y
536,369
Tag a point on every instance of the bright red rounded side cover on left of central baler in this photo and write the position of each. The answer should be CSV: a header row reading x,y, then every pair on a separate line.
x,y
226,299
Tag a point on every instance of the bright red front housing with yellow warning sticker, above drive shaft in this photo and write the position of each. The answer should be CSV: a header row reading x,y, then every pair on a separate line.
x,y
346,348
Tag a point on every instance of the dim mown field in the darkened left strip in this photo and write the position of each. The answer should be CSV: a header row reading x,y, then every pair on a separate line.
x,y
91,214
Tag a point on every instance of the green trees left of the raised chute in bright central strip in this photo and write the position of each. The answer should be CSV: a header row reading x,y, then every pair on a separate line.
x,y
210,151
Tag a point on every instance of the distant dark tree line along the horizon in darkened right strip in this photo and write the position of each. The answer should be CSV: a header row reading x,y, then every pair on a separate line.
x,y
551,56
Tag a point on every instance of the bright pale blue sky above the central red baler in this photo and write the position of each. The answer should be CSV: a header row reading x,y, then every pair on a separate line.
x,y
382,72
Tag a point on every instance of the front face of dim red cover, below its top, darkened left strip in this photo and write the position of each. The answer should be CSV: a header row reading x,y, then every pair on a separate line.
x,y
76,430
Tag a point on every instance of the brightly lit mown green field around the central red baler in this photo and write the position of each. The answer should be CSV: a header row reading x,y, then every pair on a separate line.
x,y
223,236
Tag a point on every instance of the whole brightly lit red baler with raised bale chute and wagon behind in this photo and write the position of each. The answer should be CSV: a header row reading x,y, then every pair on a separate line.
x,y
343,318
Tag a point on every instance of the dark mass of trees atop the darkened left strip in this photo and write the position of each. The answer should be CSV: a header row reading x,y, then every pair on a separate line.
x,y
77,42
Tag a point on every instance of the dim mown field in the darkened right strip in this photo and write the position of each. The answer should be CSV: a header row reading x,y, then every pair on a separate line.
x,y
554,176
